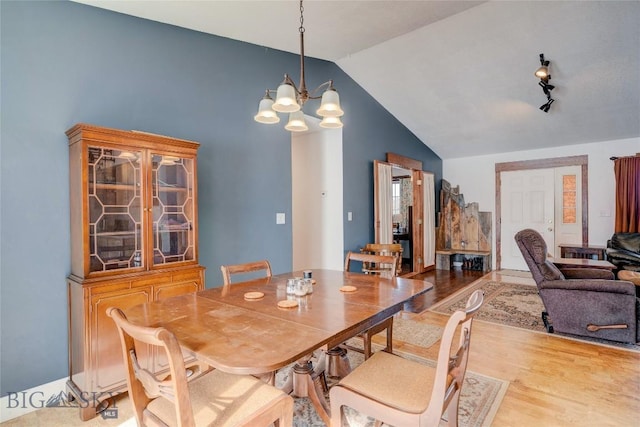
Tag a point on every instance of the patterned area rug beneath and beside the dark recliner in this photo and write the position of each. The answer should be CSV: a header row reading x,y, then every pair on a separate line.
x,y
515,305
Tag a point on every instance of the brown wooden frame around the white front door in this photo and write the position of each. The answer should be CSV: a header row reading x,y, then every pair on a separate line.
x,y
550,163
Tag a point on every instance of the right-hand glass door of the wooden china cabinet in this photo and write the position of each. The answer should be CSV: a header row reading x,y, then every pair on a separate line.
x,y
173,209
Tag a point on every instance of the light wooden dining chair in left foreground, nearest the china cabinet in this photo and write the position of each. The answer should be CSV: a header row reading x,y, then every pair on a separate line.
x,y
214,398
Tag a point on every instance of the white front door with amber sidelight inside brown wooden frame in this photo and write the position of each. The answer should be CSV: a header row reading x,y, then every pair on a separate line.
x,y
548,195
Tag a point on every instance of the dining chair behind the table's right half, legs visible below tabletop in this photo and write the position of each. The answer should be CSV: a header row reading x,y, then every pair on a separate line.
x,y
384,265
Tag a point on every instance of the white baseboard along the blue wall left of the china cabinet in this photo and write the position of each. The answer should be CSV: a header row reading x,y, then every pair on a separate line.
x,y
16,404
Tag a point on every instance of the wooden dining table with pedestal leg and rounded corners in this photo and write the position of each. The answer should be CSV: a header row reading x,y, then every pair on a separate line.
x,y
235,334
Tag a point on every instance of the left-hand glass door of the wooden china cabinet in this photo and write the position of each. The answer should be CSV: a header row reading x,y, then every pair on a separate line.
x,y
115,209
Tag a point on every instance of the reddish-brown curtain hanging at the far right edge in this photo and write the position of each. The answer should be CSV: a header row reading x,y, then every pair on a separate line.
x,y
627,171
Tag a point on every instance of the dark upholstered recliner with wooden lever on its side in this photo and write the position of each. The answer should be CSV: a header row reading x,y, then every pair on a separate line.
x,y
581,301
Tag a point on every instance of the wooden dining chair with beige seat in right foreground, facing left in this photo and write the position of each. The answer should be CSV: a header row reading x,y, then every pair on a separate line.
x,y
402,392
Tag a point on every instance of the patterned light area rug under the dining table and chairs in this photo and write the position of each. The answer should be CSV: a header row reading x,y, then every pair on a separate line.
x,y
480,398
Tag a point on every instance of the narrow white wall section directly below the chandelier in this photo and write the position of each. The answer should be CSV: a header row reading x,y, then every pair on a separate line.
x,y
317,202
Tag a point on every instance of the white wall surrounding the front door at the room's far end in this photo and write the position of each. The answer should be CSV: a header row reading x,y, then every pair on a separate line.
x,y
476,178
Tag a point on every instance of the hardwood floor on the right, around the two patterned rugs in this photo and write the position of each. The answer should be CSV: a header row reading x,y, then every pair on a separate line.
x,y
554,381
